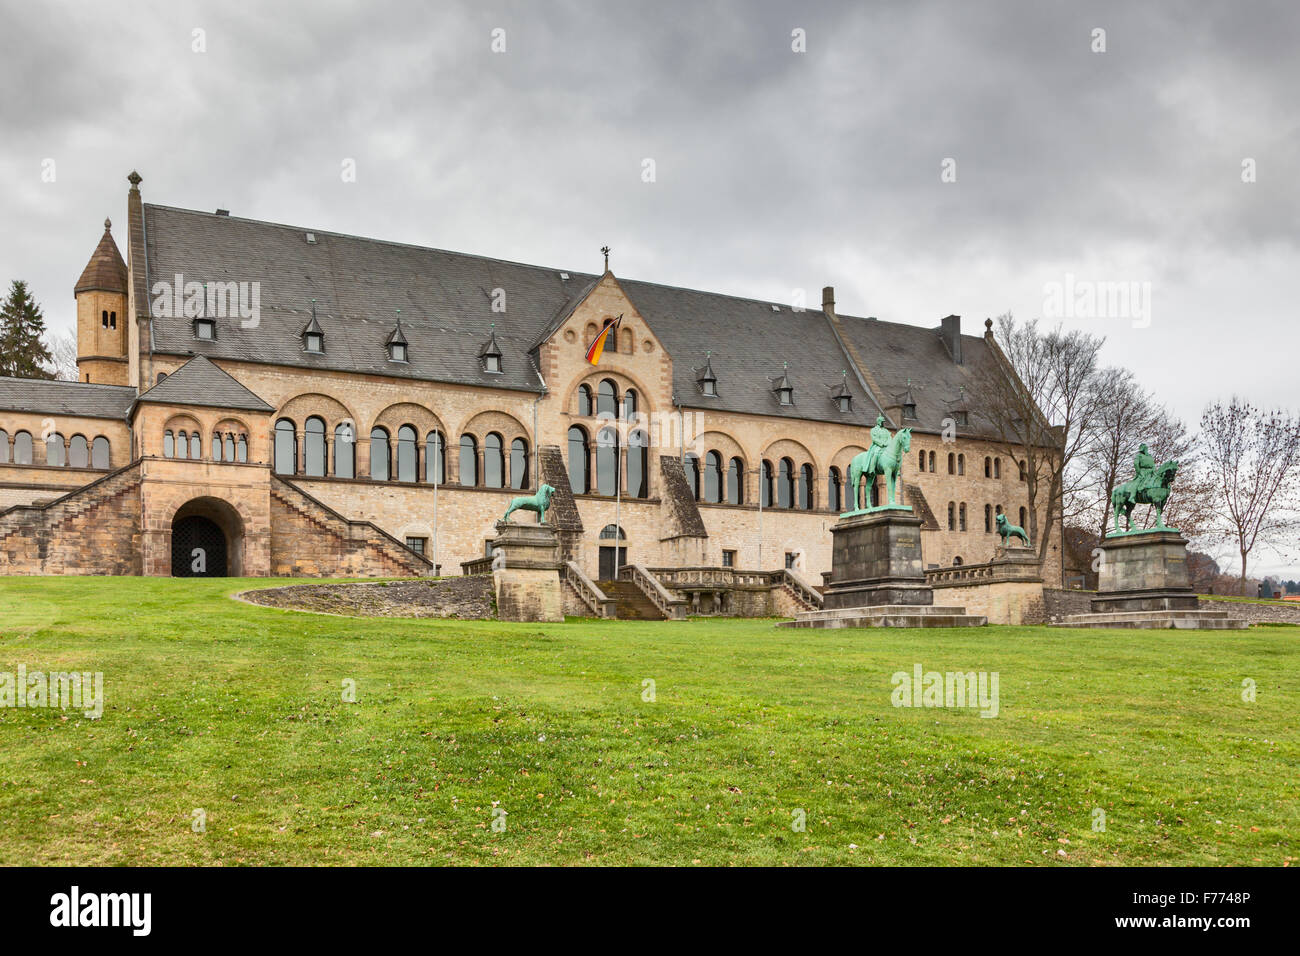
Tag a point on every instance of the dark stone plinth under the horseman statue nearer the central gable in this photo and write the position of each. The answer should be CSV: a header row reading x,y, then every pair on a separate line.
x,y
876,560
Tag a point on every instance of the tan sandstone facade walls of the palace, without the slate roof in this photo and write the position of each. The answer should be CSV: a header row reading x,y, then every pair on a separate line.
x,y
327,513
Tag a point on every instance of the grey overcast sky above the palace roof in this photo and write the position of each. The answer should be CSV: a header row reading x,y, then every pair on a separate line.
x,y
774,170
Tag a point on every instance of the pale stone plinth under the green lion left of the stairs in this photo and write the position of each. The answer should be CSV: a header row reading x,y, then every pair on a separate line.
x,y
527,573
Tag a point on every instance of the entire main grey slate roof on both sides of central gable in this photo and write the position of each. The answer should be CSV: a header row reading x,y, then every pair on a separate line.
x,y
445,304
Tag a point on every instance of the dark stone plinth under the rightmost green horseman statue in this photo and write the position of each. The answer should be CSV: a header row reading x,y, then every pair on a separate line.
x,y
1145,573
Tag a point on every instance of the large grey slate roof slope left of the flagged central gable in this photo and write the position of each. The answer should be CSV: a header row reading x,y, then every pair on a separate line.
x,y
359,285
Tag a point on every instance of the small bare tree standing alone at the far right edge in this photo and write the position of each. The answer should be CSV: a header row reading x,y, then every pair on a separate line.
x,y
1255,458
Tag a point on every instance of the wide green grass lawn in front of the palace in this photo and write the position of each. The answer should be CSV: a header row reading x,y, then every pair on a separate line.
x,y
235,710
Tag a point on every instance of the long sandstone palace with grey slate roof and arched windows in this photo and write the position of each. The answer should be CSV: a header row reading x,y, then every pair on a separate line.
x,y
300,403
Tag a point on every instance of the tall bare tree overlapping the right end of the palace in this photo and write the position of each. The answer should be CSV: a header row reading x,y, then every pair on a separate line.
x,y
1039,396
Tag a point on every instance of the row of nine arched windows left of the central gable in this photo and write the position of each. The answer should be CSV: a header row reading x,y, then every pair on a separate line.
x,y
406,460
